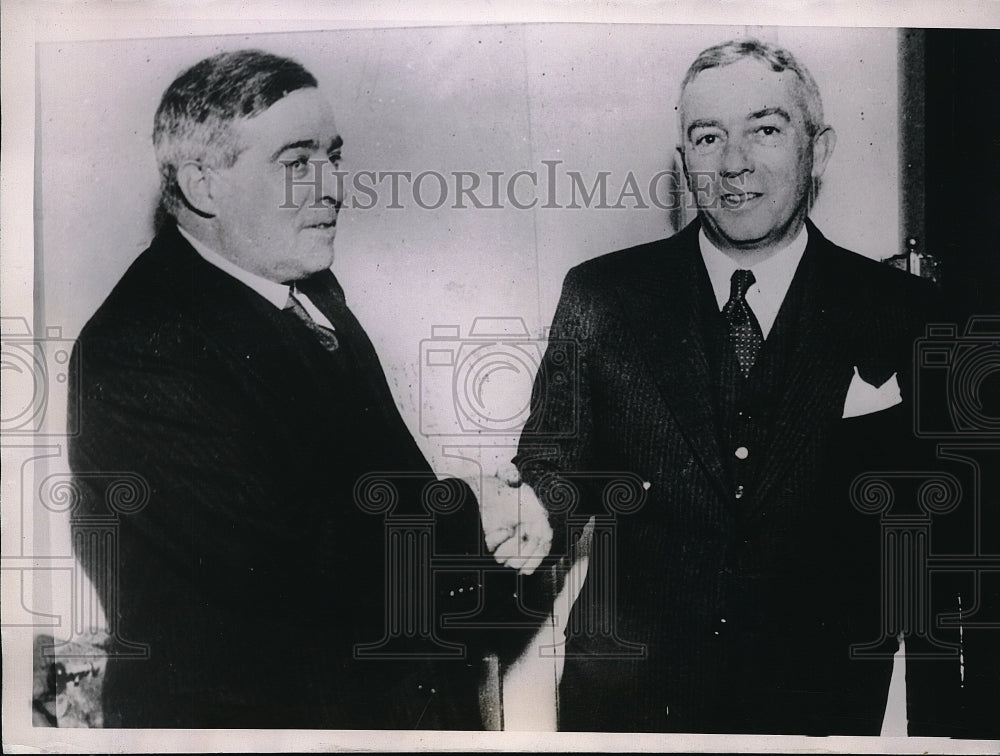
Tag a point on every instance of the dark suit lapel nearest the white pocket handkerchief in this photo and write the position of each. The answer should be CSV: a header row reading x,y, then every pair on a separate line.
x,y
820,369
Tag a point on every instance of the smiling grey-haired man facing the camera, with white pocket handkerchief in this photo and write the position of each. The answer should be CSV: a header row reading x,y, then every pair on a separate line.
x,y
742,371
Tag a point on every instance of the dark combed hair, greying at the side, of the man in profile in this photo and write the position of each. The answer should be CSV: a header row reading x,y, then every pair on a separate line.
x,y
195,117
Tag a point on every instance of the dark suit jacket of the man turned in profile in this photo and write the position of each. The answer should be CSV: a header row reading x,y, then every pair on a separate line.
x,y
244,564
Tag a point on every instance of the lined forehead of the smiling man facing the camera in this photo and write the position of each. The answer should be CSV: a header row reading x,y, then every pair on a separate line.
x,y
735,91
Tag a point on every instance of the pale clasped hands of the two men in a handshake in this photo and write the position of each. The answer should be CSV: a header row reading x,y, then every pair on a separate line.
x,y
515,525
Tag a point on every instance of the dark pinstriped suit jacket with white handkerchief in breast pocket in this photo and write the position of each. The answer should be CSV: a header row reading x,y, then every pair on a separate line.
x,y
708,612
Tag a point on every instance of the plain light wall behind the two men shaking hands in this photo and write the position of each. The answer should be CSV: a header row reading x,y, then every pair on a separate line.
x,y
468,98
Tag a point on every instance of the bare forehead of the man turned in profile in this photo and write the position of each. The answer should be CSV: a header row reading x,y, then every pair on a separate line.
x,y
304,115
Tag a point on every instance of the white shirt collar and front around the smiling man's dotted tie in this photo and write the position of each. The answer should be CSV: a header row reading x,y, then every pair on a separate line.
x,y
773,277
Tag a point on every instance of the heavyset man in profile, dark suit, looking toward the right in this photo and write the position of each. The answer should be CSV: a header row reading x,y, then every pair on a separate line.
x,y
226,372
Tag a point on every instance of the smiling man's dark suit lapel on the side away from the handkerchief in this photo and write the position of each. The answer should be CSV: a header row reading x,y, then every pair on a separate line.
x,y
663,305
